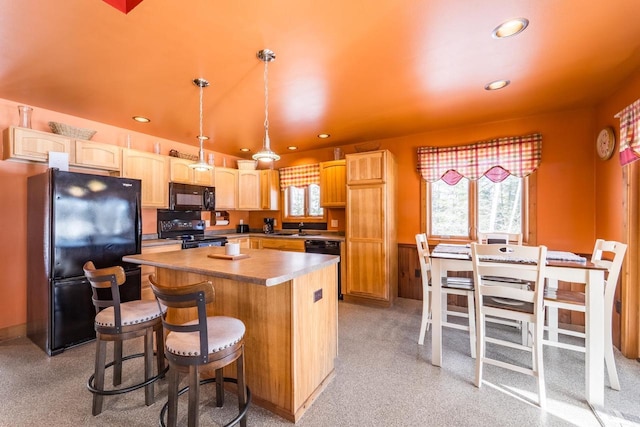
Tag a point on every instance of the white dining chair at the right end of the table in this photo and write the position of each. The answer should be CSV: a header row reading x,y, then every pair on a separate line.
x,y
555,299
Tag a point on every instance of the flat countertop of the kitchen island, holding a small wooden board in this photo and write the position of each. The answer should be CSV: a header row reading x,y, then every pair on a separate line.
x,y
262,266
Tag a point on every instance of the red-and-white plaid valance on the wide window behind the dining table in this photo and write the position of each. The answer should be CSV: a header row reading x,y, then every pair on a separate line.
x,y
496,158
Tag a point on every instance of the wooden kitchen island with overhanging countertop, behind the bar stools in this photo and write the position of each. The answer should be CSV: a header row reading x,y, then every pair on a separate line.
x,y
288,303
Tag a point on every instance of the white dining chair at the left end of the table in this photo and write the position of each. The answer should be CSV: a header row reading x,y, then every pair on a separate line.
x,y
450,286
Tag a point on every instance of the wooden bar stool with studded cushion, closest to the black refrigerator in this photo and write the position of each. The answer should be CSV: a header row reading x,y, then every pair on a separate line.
x,y
117,322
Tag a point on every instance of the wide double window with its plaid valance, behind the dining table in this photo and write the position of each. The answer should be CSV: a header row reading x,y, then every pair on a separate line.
x,y
484,186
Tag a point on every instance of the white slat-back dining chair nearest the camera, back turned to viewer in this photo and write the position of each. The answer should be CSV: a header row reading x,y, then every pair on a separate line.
x,y
511,303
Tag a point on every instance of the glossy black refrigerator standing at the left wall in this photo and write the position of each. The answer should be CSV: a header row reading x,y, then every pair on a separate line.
x,y
73,218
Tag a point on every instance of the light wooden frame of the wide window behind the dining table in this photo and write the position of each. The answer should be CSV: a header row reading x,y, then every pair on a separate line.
x,y
529,232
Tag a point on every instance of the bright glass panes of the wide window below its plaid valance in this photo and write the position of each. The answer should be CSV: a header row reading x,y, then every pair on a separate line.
x,y
458,211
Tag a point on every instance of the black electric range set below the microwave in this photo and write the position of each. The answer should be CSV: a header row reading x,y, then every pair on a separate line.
x,y
188,227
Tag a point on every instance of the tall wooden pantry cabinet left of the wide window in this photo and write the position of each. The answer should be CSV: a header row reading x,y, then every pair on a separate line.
x,y
372,269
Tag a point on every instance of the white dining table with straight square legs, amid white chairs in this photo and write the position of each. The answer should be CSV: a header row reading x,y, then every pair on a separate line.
x,y
457,258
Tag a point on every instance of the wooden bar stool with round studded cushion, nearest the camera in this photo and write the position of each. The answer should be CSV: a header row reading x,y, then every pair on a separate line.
x,y
209,342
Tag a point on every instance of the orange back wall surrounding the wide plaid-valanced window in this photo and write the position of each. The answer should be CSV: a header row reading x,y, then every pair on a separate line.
x,y
566,199
